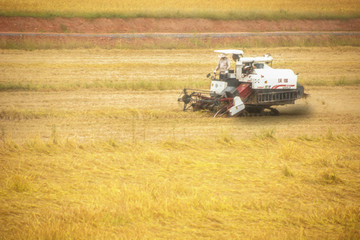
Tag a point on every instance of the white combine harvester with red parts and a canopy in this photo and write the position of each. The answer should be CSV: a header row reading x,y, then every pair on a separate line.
x,y
252,88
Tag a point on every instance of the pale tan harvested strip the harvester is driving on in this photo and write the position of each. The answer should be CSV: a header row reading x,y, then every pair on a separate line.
x,y
91,115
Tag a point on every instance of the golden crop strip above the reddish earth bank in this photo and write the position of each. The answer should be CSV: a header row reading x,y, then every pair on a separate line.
x,y
231,9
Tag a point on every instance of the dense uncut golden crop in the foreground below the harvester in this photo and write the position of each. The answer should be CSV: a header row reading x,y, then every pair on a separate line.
x,y
264,187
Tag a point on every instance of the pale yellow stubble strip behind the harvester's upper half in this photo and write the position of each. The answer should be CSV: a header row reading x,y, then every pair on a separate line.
x,y
56,70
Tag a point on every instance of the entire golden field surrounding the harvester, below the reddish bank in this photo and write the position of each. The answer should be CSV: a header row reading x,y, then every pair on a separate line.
x,y
93,145
